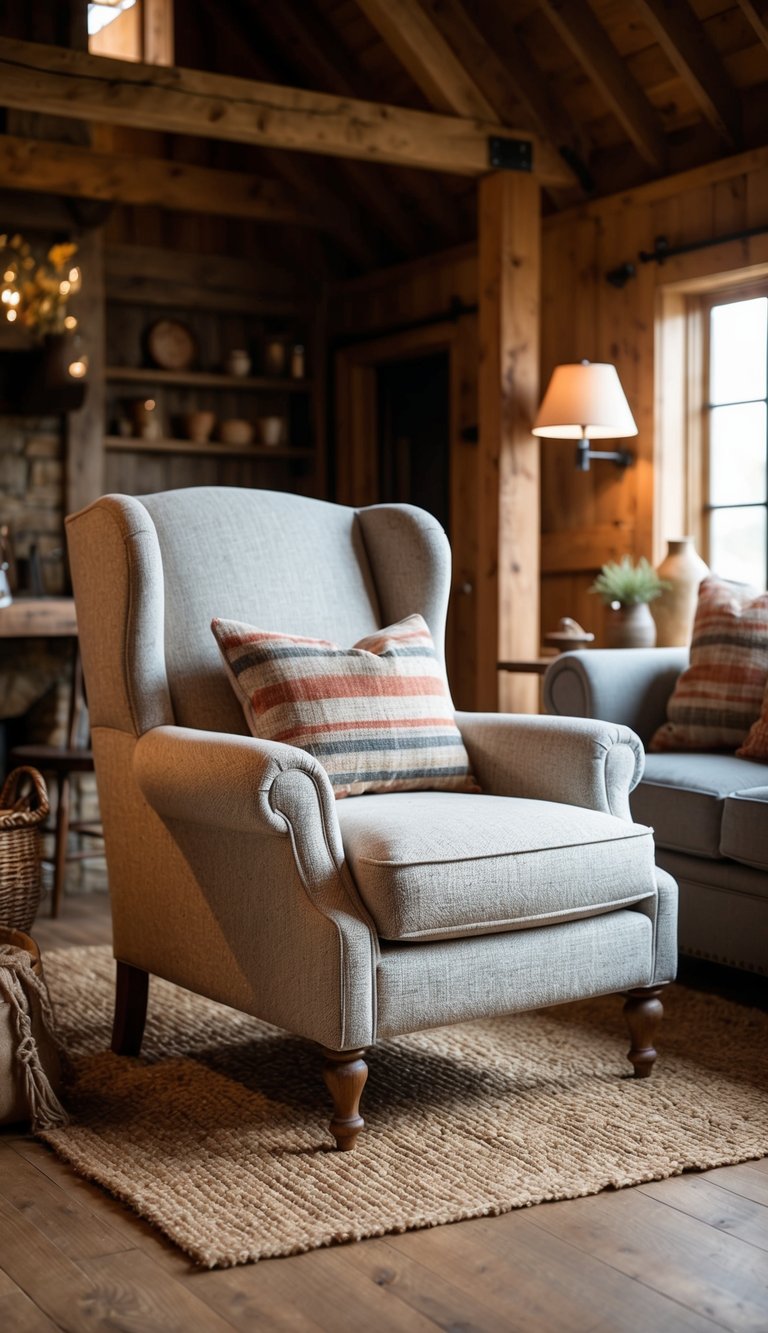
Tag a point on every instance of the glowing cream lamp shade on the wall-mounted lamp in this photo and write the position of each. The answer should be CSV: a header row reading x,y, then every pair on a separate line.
x,y
585,401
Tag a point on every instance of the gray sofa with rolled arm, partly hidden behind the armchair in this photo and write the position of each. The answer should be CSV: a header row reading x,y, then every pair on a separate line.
x,y
710,812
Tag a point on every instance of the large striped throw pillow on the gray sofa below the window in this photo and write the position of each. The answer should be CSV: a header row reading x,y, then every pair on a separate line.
x,y
718,698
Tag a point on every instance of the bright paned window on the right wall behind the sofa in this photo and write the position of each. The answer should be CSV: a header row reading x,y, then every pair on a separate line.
x,y
737,438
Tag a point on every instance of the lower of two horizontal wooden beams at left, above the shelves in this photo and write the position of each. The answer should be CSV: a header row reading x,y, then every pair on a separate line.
x,y
47,167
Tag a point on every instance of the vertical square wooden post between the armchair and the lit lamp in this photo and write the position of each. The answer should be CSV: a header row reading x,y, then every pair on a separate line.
x,y
509,519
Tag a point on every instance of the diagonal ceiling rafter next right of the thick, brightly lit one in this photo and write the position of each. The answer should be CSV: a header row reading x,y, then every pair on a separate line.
x,y
589,42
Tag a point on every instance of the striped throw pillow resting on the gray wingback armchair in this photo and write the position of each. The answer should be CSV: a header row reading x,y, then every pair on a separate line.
x,y
378,716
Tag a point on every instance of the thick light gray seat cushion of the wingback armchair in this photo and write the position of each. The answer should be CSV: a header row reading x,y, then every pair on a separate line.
x,y
434,866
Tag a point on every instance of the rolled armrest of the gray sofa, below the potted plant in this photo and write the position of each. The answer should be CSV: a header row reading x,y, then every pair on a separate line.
x,y
629,686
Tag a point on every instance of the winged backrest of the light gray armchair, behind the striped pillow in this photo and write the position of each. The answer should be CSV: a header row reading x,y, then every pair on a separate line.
x,y
150,574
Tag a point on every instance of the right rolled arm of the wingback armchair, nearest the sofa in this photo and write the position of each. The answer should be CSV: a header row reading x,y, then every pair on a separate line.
x,y
571,760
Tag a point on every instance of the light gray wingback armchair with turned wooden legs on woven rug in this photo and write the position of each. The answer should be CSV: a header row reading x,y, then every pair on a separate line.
x,y
235,872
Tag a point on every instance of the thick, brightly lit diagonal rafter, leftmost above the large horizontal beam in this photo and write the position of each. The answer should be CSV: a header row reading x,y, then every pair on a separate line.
x,y
423,51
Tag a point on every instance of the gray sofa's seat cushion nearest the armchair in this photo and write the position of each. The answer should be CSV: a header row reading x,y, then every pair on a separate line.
x,y
683,798
